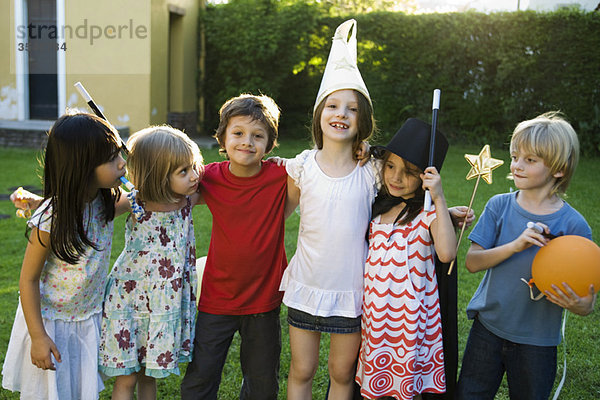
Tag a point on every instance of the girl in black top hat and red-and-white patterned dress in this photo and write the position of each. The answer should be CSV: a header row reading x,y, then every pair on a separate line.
x,y
401,353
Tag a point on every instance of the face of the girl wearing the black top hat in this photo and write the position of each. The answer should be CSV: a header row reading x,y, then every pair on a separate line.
x,y
400,177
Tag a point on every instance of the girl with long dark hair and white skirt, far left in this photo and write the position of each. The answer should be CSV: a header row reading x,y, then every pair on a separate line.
x,y
53,348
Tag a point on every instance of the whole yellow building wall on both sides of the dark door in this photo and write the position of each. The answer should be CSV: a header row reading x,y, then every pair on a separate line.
x,y
135,79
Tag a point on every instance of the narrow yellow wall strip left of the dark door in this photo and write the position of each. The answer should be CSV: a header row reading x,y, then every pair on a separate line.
x,y
8,84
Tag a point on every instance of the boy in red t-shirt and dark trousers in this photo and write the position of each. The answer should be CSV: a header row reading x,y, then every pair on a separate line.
x,y
246,256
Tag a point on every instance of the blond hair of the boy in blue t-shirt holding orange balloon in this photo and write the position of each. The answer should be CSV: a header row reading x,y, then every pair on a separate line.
x,y
550,137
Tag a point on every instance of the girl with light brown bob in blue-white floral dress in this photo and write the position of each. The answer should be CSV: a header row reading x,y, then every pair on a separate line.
x,y
149,306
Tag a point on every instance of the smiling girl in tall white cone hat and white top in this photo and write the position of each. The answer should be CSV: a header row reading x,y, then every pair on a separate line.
x,y
323,282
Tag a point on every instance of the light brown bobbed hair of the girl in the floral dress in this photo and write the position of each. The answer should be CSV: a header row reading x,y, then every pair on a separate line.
x,y
155,153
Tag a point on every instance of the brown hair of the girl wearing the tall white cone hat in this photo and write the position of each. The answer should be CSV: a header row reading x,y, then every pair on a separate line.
x,y
366,122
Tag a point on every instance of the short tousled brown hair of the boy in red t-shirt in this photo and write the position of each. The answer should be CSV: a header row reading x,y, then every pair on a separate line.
x,y
260,108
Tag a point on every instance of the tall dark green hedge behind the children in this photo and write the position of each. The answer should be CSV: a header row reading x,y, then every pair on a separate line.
x,y
494,70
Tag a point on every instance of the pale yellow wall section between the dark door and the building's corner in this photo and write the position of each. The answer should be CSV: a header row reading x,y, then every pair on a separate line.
x,y
115,67
